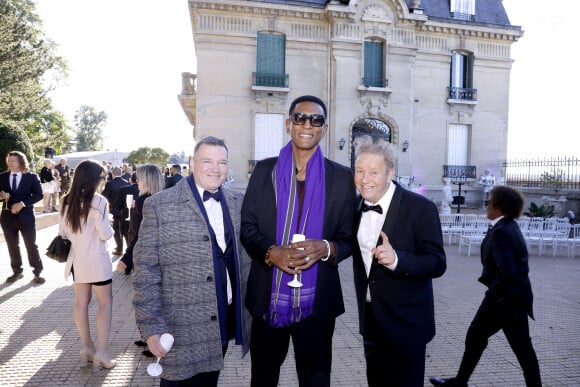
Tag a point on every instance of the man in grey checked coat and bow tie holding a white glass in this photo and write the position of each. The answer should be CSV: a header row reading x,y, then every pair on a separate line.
x,y
191,271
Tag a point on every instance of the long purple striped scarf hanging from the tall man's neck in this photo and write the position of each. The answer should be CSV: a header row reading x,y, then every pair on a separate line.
x,y
290,305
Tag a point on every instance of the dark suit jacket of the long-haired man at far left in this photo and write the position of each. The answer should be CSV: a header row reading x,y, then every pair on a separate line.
x,y
29,191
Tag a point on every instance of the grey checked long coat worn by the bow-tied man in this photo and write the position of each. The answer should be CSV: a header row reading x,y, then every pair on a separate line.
x,y
174,280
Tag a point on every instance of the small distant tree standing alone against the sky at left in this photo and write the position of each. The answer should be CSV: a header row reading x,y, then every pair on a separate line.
x,y
88,125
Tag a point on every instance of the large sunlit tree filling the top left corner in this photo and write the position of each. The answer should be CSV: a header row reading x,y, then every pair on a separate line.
x,y
28,60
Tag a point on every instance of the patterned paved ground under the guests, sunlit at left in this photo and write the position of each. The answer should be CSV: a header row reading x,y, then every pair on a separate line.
x,y
39,343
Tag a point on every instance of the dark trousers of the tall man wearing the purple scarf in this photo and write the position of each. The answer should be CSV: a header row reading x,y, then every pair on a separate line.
x,y
312,341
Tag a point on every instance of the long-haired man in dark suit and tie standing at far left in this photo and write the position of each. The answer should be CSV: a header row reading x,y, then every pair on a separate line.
x,y
19,190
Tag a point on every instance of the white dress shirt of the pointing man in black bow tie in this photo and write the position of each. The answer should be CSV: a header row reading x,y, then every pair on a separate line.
x,y
371,224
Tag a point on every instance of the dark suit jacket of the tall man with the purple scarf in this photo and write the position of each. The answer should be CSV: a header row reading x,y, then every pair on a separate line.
x,y
258,233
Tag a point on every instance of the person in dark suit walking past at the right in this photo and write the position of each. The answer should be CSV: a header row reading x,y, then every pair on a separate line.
x,y
509,298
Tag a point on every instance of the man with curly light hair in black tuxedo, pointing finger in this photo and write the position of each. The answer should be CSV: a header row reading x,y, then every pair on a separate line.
x,y
398,250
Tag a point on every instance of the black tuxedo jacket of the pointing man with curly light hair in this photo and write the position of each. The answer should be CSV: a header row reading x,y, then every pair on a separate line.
x,y
402,299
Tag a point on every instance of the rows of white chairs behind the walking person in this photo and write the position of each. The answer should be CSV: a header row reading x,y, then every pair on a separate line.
x,y
468,231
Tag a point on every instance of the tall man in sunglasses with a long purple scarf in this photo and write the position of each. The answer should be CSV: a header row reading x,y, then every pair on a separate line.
x,y
299,192
